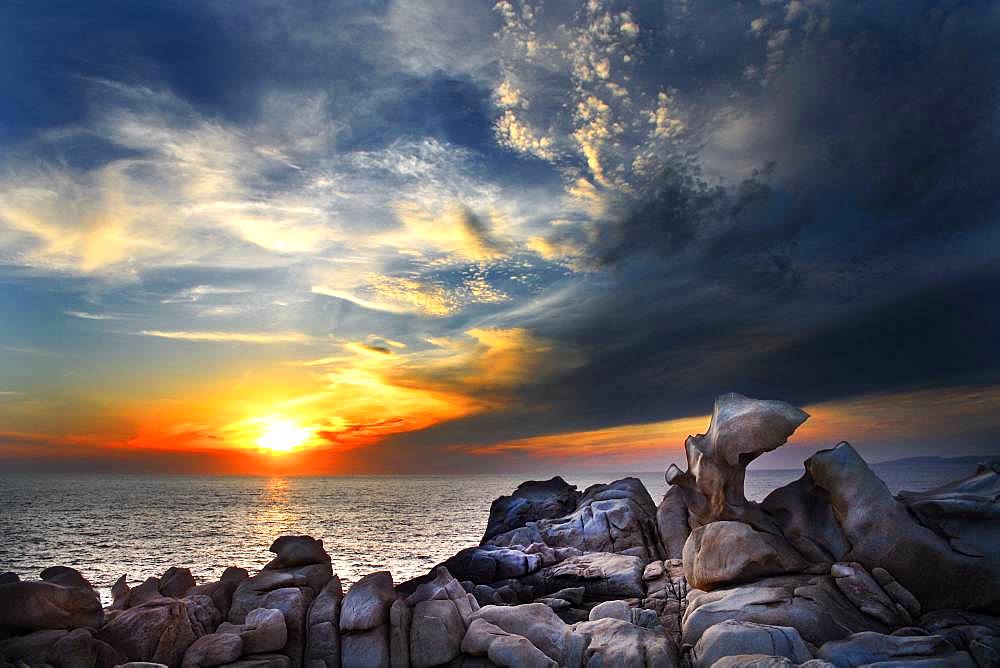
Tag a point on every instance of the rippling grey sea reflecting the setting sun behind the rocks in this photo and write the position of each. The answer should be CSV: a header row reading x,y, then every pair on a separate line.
x,y
107,525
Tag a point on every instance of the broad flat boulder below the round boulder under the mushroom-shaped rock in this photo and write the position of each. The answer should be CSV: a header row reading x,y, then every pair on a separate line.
x,y
813,605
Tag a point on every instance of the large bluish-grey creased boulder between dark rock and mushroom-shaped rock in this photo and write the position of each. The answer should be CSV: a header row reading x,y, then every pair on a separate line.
x,y
618,517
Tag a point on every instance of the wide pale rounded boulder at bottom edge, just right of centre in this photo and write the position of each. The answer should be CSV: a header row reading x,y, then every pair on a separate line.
x,y
613,642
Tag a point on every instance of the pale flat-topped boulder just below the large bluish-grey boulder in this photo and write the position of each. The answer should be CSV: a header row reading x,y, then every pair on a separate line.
x,y
601,575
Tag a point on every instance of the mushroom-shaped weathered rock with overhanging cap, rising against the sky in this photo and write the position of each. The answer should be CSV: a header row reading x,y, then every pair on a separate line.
x,y
741,430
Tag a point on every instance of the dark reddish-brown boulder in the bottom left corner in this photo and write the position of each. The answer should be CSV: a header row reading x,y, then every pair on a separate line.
x,y
65,649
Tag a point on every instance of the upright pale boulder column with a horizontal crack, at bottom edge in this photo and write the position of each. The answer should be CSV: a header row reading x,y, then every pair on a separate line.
x,y
364,622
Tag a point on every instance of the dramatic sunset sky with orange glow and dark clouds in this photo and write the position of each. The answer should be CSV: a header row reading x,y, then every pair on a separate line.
x,y
351,237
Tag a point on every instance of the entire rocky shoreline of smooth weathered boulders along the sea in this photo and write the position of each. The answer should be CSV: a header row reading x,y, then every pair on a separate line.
x,y
829,570
